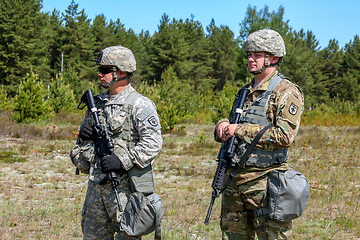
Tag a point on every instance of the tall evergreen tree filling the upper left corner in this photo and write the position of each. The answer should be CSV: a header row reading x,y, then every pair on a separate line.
x,y
22,42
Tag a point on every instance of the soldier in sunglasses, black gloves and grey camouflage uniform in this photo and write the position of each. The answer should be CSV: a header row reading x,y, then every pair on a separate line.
x,y
136,134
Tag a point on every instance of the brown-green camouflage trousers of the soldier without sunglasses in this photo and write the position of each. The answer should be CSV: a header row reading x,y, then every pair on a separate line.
x,y
237,216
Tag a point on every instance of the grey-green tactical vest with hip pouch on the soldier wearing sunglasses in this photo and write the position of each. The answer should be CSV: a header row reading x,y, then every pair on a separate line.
x,y
141,179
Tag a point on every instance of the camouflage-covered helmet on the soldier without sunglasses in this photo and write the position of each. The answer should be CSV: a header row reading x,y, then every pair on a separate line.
x,y
266,40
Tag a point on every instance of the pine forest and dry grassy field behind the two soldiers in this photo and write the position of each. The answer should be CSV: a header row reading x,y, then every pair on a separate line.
x,y
192,73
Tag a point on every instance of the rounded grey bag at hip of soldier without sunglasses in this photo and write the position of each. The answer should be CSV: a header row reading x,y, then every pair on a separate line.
x,y
288,194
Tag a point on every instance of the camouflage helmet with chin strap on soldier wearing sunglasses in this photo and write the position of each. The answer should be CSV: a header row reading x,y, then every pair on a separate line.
x,y
120,58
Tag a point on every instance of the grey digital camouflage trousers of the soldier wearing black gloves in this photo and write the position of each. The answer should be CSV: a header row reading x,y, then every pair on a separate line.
x,y
100,214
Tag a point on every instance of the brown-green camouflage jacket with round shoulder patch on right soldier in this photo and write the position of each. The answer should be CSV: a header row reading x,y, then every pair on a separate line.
x,y
284,110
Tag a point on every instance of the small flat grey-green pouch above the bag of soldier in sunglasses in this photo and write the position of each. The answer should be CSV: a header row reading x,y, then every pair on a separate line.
x,y
142,179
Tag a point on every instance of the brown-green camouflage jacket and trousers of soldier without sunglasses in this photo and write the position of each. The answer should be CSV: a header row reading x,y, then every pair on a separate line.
x,y
247,190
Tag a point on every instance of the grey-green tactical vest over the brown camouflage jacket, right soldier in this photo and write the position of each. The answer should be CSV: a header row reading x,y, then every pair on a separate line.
x,y
256,114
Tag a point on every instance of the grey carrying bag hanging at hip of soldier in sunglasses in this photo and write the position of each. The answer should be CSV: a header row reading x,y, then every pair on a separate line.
x,y
142,215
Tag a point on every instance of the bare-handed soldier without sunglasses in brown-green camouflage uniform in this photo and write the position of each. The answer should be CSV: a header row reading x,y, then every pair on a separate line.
x,y
246,194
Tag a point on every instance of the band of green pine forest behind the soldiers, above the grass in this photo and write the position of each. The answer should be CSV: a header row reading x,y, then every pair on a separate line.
x,y
191,72
